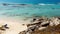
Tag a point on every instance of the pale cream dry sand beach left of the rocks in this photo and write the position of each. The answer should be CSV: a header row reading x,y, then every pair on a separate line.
x,y
15,25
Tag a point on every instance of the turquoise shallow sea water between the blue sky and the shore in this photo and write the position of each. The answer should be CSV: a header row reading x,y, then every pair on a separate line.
x,y
30,10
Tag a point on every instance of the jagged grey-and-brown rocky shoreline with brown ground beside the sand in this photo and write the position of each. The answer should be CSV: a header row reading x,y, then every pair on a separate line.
x,y
43,25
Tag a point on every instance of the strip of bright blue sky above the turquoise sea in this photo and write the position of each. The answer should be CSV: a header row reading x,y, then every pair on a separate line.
x,y
31,1
